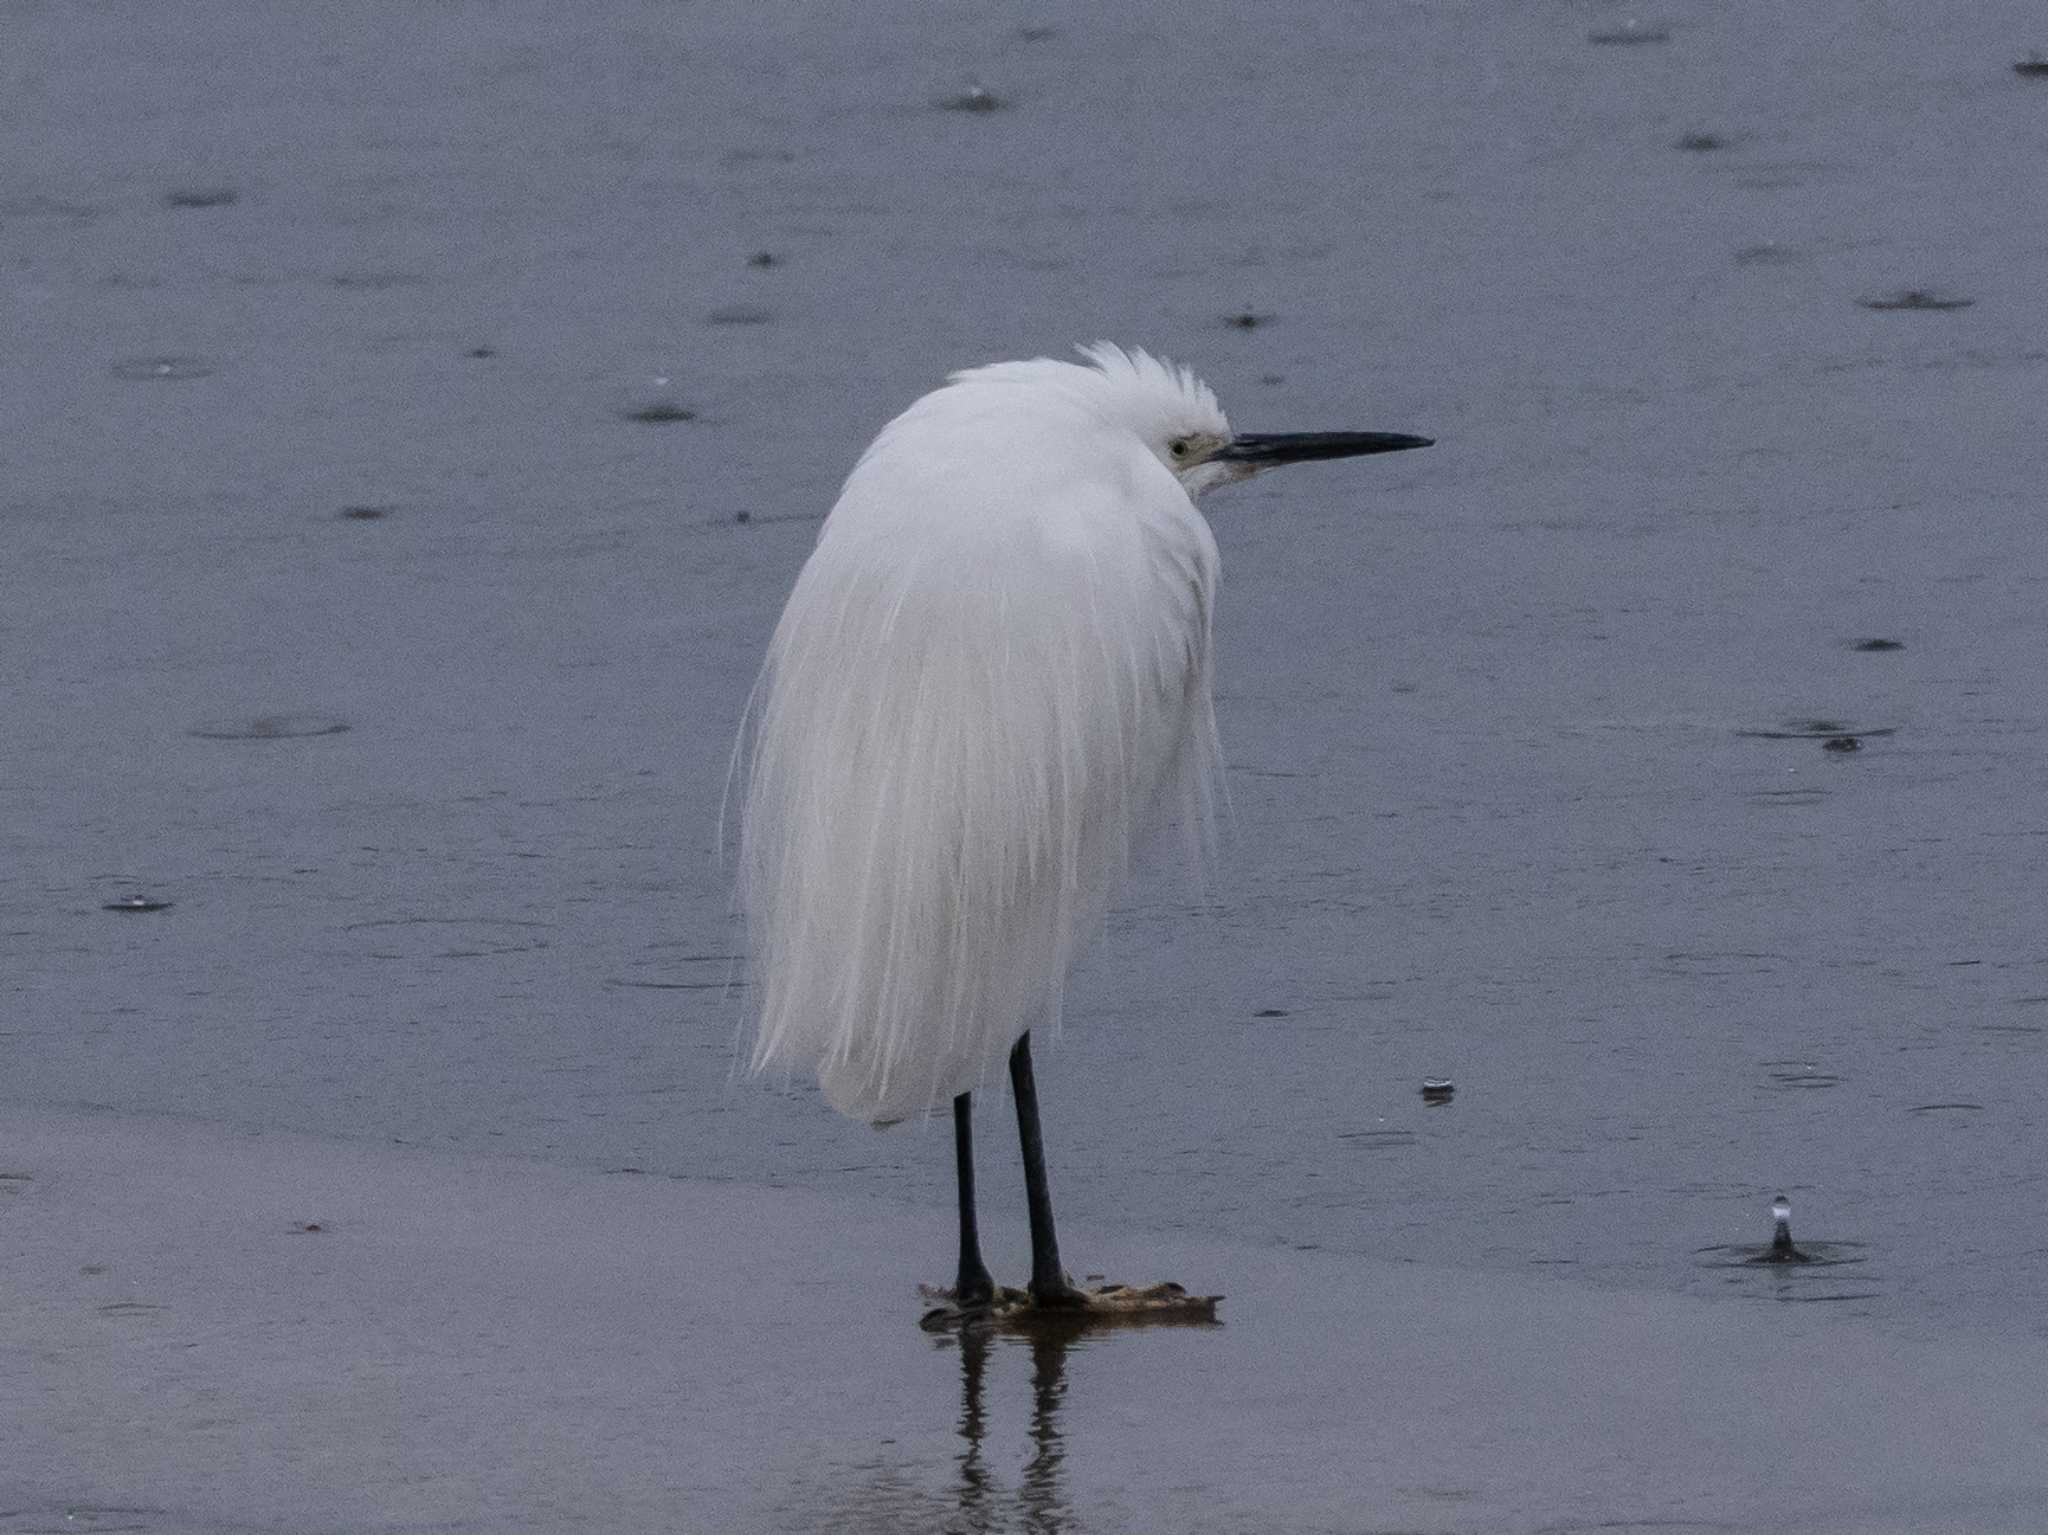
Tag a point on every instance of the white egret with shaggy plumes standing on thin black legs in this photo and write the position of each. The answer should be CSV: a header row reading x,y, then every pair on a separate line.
x,y
994,664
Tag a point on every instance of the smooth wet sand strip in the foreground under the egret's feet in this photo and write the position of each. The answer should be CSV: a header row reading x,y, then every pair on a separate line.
x,y
472,1344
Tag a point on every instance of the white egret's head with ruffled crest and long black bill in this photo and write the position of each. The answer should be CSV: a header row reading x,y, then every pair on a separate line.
x,y
1177,416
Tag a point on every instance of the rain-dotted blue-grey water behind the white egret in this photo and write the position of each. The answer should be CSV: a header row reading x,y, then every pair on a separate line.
x,y
1502,809
